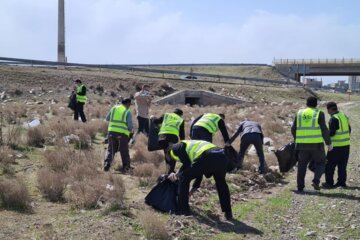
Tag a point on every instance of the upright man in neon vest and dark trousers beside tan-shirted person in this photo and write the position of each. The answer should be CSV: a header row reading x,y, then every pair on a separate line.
x,y
120,130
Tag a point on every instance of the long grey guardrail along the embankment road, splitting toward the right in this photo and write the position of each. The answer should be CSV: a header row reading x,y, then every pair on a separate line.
x,y
141,68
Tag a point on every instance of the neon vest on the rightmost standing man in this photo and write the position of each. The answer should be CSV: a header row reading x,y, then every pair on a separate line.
x,y
342,135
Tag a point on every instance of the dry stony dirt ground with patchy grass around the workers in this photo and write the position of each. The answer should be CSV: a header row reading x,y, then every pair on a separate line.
x,y
264,207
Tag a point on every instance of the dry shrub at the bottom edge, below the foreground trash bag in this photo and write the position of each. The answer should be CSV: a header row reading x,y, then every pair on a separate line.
x,y
154,227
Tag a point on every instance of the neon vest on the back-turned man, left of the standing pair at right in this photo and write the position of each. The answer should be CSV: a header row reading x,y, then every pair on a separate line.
x,y
307,126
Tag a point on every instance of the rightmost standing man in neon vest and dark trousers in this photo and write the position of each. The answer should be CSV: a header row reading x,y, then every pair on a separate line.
x,y
340,130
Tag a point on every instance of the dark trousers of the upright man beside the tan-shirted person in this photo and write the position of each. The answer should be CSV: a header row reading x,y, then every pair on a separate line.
x,y
118,142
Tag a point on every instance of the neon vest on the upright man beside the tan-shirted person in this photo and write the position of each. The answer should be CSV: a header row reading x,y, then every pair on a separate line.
x,y
118,120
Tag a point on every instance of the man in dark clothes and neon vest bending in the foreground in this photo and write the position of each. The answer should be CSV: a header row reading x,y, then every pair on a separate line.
x,y
200,158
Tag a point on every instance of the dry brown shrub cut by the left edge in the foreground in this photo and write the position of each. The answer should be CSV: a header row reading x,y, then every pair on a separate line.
x,y
14,194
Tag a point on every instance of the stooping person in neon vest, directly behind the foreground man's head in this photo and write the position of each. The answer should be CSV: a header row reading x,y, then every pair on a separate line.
x,y
171,130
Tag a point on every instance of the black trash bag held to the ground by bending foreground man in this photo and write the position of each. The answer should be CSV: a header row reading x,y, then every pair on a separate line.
x,y
163,196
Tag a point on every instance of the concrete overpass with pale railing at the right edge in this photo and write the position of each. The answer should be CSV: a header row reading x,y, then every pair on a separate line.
x,y
295,68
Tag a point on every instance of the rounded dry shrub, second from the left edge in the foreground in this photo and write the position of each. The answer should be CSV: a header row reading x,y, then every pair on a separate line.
x,y
51,184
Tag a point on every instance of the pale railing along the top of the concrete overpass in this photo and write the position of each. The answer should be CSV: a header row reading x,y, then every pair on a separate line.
x,y
317,61
